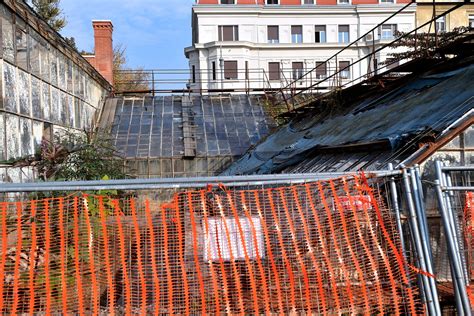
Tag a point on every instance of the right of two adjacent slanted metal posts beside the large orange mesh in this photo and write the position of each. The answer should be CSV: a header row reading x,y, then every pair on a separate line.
x,y
425,238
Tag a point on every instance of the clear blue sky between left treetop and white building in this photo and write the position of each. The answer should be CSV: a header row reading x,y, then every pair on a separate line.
x,y
155,32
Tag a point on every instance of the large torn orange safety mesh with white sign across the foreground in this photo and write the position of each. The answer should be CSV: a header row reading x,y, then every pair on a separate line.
x,y
327,247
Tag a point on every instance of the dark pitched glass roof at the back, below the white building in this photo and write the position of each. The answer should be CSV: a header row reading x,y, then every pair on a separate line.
x,y
214,126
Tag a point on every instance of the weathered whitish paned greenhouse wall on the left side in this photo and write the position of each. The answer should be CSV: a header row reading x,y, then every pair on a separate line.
x,y
46,86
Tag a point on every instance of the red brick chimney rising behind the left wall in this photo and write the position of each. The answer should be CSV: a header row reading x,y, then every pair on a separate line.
x,y
103,60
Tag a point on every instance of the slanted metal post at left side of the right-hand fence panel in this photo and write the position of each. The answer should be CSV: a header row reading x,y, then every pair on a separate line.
x,y
456,265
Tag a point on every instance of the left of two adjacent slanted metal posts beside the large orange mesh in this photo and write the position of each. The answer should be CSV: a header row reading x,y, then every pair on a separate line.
x,y
418,245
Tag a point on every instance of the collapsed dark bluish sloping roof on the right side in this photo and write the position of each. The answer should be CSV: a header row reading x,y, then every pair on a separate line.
x,y
371,130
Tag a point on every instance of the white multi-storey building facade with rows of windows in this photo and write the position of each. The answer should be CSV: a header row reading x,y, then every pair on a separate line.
x,y
237,47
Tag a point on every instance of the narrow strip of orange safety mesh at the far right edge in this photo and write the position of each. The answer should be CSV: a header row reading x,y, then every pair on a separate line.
x,y
469,239
